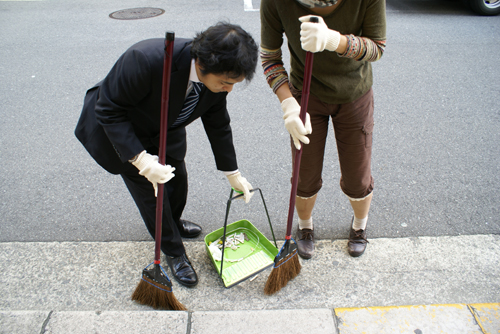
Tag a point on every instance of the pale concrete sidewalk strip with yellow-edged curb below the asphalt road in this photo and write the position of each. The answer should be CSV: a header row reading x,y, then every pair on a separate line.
x,y
80,287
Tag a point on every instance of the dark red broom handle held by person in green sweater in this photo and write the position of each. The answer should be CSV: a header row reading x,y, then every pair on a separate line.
x,y
298,153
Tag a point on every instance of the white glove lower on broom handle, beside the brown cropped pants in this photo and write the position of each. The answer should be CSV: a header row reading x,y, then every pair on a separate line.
x,y
293,124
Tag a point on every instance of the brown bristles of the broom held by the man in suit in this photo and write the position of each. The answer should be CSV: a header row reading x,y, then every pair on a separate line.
x,y
156,295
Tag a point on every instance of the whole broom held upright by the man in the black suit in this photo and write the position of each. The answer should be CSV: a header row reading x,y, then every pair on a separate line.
x,y
155,288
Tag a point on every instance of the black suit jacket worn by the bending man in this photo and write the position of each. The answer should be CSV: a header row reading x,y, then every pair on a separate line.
x,y
121,114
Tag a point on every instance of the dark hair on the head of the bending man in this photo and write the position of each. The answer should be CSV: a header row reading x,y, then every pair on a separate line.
x,y
227,49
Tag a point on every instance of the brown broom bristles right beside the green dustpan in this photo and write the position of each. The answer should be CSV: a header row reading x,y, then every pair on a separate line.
x,y
284,270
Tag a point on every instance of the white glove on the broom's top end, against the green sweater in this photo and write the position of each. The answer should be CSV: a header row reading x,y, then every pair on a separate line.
x,y
316,37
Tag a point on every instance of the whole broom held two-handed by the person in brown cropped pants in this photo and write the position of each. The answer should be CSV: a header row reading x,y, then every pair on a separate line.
x,y
286,263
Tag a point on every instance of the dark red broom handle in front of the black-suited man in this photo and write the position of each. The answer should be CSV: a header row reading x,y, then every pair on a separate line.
x,y
167,69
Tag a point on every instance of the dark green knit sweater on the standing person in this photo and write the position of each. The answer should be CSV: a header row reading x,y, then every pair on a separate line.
x,y
336,79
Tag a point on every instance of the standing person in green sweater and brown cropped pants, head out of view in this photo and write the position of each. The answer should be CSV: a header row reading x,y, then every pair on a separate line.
x,y
350,35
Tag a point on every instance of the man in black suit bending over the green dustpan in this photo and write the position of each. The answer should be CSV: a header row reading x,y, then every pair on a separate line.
x,y
120,124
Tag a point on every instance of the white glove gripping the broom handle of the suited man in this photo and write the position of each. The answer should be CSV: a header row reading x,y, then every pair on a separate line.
x,y
150,168
